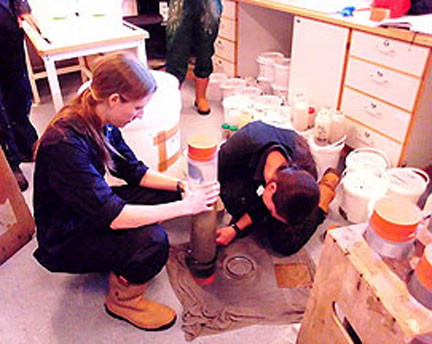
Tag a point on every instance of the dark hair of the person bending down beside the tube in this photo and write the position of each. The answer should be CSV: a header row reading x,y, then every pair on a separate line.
x,y
297,194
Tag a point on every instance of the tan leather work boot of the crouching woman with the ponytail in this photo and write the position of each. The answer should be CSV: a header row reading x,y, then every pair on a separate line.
x,y
126,301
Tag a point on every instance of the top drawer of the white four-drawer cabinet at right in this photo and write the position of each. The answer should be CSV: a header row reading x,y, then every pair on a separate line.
x,y
402,56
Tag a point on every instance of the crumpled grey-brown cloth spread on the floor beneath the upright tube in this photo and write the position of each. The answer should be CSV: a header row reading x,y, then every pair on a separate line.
x,y
229,302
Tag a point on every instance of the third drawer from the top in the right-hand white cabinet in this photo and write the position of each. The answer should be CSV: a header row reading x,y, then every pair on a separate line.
x,y
378,115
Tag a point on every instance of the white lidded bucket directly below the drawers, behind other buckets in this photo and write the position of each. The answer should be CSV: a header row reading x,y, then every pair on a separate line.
x,y
368,159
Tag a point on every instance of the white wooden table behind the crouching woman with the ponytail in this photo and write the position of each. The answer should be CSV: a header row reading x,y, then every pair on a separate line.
x,y
66,40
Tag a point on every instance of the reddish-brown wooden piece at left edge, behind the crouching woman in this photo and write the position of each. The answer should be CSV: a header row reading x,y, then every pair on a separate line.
x,y
16,222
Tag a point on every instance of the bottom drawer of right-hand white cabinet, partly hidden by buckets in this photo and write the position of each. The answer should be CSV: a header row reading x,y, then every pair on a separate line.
x,y
359,136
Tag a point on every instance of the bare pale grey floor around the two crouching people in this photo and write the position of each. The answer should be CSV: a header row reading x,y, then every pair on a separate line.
x,y
41,307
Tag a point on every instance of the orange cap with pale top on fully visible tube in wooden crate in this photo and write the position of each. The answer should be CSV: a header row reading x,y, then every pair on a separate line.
x,y
395,219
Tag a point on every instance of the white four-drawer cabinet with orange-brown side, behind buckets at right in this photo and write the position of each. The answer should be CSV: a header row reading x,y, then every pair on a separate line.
x,y
385,98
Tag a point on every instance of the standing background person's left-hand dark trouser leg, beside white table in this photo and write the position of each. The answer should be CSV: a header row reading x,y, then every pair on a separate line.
x,y
178,37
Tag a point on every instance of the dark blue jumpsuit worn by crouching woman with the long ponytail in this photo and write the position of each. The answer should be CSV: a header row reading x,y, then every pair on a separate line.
x,y
74,207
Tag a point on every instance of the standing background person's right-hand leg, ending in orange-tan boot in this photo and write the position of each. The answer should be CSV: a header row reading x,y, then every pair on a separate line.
x,y
205,31
